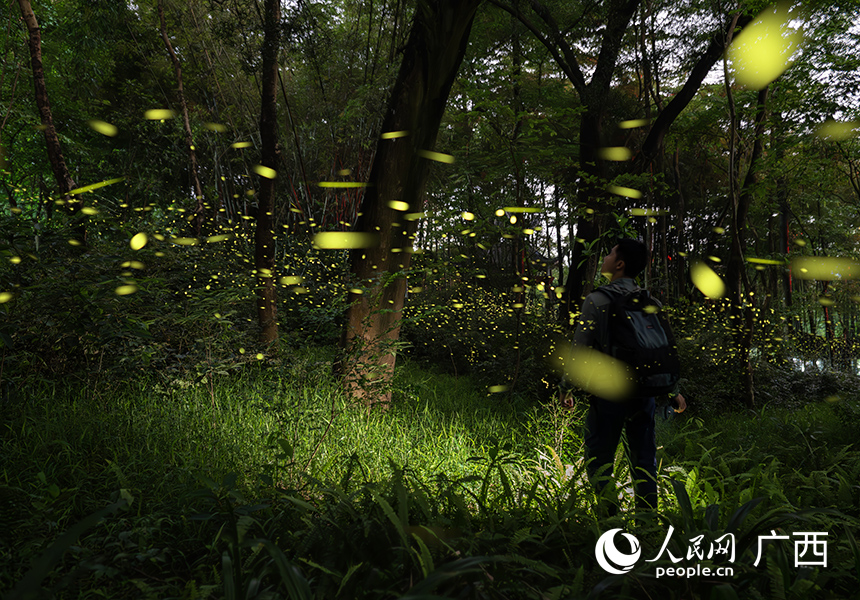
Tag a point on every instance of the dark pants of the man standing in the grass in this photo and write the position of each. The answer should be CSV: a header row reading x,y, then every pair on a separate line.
x,y
603,427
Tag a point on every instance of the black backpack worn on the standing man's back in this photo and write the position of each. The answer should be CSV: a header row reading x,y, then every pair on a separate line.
x,y
640,335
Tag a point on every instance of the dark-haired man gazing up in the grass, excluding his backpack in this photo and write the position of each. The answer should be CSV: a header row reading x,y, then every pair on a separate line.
x,y
634,416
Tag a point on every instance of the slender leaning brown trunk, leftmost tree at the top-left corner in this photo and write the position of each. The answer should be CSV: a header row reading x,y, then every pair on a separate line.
x,y
52,142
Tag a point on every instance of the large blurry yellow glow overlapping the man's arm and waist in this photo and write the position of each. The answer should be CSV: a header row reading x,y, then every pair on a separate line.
x,y
595,372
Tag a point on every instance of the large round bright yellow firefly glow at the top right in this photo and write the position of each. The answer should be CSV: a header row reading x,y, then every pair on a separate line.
x,y
762,51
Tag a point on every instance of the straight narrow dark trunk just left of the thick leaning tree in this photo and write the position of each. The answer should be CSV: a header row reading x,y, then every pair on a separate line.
x,y
264,239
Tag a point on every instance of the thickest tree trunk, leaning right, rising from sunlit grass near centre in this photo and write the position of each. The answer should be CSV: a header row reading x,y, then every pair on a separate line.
x,y
431,59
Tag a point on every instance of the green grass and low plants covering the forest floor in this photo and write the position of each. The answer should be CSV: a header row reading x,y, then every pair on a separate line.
x,y
212,461
